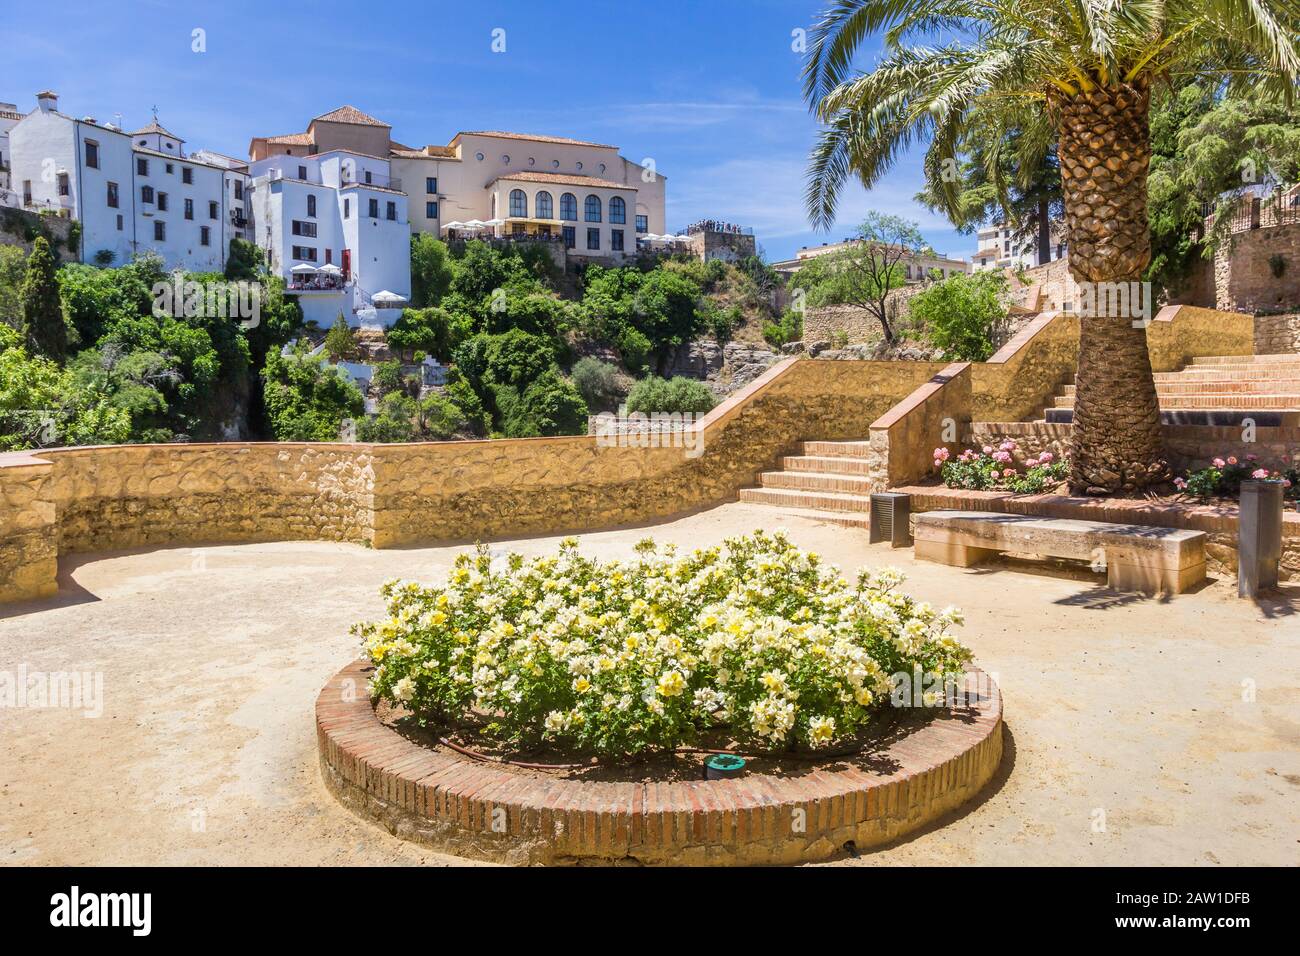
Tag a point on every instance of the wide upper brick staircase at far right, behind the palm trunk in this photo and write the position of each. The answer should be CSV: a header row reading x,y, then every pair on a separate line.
x,y
1219,390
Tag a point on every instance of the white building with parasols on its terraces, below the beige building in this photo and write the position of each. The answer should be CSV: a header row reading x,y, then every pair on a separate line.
x,y
335,226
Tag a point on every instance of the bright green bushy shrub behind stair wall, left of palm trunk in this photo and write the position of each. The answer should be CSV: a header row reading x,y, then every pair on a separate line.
x,y
965,315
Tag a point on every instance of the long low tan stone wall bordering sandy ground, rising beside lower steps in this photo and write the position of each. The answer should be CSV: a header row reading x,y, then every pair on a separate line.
x,y
102,499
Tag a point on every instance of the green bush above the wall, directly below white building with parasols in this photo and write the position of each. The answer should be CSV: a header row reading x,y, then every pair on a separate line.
x,y
309,400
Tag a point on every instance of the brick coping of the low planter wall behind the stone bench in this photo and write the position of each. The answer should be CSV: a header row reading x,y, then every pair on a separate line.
x,y
1189,516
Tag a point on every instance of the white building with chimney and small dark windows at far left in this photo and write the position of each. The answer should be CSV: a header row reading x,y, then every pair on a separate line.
x,y
131,192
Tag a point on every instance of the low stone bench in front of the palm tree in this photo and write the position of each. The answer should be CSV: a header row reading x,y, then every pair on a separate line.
x,y
1137,557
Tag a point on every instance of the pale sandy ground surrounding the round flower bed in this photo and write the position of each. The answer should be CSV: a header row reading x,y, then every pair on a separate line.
x,y
1133,732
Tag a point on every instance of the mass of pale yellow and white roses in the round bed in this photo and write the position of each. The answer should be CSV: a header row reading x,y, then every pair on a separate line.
x,y
757,642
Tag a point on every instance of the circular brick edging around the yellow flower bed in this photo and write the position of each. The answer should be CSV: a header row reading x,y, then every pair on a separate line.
x,y
479,810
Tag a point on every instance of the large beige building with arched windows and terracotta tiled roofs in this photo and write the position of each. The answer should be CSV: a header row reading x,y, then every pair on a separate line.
x,y
554,188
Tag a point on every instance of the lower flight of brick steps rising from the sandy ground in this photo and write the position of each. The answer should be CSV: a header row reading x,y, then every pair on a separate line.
x,y
831,481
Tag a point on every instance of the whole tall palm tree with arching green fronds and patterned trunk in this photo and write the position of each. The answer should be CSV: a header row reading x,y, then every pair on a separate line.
x,y
1086,68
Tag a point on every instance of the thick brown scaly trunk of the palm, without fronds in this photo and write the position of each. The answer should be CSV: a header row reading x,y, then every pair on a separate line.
x,y
1104,150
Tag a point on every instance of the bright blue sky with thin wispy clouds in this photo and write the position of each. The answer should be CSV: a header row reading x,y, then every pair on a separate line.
x,y
709,89
